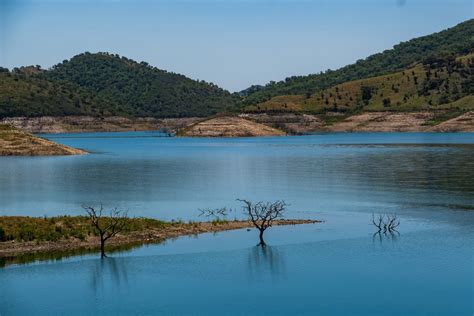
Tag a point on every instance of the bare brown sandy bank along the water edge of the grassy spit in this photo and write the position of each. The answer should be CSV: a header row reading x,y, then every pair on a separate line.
x,y
9,249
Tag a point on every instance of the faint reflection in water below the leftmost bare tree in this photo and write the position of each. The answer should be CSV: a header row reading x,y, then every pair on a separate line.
x,y
109,269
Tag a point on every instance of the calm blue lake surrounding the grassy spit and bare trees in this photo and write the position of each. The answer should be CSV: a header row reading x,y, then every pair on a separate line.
x,y
338,267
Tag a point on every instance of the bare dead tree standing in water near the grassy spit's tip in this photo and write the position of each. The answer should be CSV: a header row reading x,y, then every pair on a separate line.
x,y
263,214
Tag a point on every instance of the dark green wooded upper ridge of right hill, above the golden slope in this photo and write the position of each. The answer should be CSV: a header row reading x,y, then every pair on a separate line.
x,y
458,40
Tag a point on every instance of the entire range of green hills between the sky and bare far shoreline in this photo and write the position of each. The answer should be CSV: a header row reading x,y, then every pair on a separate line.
x,y
427,73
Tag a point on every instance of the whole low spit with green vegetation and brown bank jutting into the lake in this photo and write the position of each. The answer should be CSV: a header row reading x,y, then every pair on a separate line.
x,y
22,236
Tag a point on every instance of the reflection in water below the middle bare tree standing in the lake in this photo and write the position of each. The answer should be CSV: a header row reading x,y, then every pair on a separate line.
x,y
264,259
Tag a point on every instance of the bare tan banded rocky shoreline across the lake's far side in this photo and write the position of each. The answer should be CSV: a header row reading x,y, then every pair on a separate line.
x,y
251,124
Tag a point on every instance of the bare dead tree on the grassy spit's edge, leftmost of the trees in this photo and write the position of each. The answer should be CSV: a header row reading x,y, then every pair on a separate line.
x,y
107,225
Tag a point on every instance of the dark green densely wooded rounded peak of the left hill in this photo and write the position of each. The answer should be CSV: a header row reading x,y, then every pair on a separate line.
x,y
140,90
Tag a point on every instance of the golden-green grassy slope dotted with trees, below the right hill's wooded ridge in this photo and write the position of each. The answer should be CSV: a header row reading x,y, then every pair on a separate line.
x,y
443,83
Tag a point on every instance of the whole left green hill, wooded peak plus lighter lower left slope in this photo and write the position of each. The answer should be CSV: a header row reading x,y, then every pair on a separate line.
x,y
103,84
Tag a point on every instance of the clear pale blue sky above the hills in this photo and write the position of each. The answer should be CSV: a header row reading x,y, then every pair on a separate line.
x,y
232,43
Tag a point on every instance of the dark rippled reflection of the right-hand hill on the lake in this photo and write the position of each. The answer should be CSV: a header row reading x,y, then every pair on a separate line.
x,y
410,166
